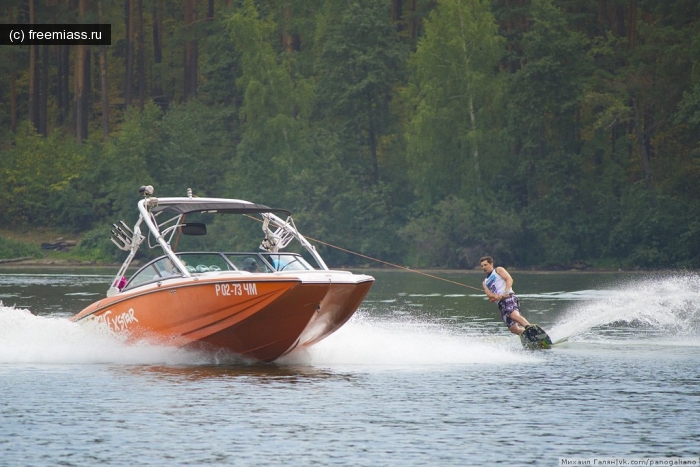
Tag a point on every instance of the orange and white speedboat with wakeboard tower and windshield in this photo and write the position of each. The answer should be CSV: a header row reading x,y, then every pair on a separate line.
x,y
259,304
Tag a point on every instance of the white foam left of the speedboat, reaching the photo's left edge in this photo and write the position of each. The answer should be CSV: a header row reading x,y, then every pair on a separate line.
x,y
26,338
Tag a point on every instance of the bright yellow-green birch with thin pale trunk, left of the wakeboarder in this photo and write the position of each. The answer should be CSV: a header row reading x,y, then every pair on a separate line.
x,y
453,84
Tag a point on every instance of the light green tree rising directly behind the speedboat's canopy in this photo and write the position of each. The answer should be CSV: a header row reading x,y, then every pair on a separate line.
x,y
274,111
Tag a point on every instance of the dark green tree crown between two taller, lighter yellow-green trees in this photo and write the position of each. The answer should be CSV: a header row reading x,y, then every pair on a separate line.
x,y
361,59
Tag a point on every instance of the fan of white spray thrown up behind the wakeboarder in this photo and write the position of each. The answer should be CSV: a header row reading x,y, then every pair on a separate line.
x,y
667,308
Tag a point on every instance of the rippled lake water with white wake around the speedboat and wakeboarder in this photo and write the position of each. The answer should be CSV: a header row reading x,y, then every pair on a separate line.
x,y
424,374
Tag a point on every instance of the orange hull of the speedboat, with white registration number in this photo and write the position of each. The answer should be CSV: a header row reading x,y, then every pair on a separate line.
x,y
261,319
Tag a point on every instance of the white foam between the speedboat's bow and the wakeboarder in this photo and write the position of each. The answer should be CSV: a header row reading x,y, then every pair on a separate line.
x,y
367,341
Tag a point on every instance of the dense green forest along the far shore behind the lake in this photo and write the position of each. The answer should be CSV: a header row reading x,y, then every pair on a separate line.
x,y
428,133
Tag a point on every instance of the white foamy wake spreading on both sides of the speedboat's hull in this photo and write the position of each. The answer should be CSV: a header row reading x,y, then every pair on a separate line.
x,y
363,341
